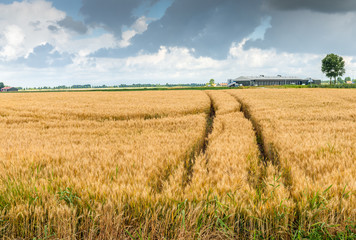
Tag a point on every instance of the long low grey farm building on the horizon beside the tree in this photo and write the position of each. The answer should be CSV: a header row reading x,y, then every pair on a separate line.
x,y
274,80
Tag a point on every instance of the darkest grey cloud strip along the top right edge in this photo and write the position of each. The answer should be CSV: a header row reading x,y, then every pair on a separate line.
x,y
328,6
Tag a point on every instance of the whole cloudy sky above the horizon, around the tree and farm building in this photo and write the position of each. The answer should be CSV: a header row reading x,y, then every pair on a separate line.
x,y
65,42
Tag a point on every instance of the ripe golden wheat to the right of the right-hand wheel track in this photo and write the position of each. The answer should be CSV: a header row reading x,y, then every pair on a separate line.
x,y
309,135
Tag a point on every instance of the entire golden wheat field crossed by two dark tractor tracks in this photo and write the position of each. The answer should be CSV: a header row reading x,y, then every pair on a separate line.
x,y
228,164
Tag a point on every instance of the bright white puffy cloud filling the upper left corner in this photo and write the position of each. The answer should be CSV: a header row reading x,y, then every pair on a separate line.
x,y
24,25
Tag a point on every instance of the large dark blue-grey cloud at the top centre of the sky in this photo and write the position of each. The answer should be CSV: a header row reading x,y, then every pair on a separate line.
x,y
208,26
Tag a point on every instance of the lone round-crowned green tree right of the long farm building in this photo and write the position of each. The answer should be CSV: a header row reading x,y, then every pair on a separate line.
x,y
333,66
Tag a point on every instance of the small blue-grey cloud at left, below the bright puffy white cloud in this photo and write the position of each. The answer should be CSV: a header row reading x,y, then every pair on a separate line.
x,y
43,56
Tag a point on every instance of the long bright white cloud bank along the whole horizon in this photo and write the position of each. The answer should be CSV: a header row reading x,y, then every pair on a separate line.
x,y
174,65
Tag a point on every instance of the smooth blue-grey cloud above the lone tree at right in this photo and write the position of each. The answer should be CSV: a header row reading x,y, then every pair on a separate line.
x,y
309,32
